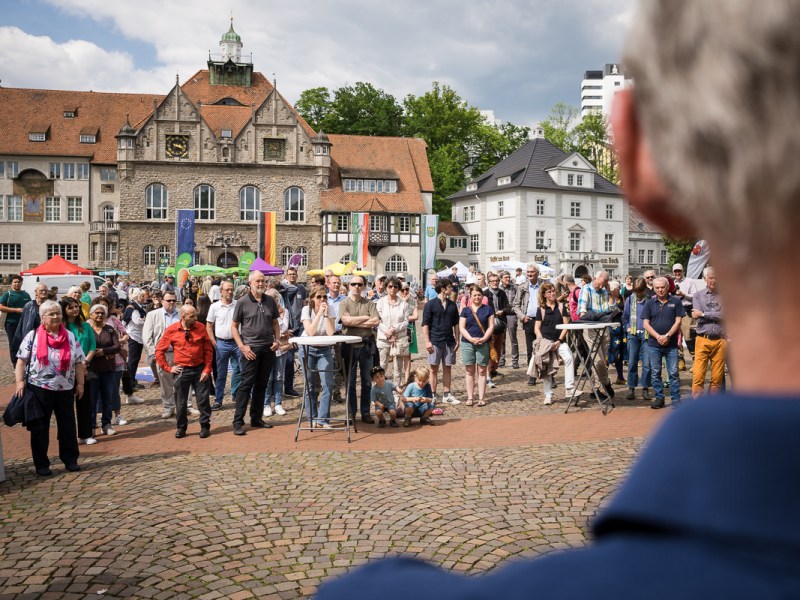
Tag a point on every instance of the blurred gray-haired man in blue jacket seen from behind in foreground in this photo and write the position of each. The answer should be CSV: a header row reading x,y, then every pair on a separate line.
x,y
710,508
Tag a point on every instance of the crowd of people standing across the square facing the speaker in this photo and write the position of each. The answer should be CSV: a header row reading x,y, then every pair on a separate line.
x,y
245,330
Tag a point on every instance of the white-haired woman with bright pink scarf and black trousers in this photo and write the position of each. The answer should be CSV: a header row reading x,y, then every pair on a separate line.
x,y
55,378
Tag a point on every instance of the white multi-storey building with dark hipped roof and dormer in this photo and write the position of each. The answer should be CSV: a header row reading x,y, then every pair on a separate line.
x,y
543,205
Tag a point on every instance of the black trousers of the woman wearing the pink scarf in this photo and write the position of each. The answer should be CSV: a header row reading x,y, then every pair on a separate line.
x,y
62,403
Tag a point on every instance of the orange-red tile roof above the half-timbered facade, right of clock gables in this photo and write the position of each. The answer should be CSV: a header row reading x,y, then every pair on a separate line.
x,y
366,154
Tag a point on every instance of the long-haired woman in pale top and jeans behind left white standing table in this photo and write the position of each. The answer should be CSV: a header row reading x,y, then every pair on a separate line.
x,y
318,319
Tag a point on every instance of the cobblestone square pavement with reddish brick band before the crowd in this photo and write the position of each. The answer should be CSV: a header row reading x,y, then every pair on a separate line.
x,y
150,516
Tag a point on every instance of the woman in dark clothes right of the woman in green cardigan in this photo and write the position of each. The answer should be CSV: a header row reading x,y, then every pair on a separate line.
x,y
103,365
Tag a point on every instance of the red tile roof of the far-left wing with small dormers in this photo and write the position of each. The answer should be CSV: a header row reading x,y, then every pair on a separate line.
x,y
23,110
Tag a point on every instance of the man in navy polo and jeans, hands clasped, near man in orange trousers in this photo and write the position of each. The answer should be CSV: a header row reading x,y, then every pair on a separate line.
x,y
661,317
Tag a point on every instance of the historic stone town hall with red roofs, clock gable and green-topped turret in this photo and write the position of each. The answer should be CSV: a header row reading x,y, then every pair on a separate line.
x,y
100,177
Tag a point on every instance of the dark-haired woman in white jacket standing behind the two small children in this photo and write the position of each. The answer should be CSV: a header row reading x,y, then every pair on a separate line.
x,y
393,330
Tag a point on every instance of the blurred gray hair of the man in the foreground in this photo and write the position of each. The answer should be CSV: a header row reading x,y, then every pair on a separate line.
x,y
716,86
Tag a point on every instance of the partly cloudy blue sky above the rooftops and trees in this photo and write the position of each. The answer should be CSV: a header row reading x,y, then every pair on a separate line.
x,y
514,57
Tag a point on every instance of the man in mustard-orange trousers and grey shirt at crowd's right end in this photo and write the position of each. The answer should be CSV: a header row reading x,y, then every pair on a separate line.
x,y
710,345
